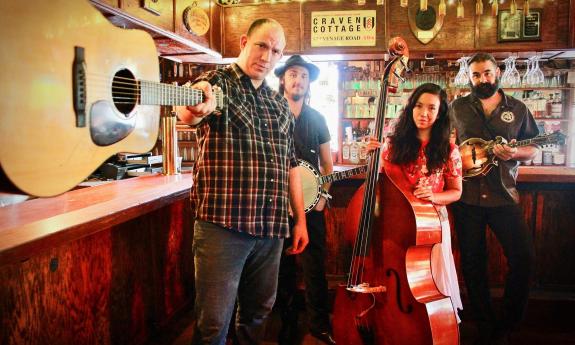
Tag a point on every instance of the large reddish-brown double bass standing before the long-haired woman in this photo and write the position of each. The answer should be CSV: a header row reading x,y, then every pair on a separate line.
x,y
390,297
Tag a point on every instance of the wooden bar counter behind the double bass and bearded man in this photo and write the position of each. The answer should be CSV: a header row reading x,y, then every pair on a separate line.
x,y
548,201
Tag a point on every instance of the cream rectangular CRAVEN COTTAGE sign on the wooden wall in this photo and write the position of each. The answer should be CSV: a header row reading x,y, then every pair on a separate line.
x,y
343,28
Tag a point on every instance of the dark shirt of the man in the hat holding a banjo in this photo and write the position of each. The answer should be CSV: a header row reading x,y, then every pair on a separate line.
x,y
310,132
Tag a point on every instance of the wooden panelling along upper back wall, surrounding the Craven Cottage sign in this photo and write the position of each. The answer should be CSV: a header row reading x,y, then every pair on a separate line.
x,y
457,36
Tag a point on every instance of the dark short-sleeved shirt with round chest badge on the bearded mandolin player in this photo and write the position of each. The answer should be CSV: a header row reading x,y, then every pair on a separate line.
x,y
511,119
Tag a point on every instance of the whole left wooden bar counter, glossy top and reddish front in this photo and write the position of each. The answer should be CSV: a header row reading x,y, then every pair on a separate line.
x,y
109,264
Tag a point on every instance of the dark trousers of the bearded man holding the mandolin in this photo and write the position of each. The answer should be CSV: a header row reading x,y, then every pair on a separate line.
x,y
510,229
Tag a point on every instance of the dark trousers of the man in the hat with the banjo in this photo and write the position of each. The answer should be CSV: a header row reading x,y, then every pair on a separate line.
x,y
316,292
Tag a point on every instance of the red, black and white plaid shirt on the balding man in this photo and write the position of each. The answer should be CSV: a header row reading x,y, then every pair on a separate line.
x,y
241,175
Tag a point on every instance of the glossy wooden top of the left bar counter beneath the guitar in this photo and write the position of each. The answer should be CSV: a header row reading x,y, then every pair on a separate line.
x,y
42,223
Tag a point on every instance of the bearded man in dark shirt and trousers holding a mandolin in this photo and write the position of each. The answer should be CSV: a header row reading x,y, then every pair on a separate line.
x,y
492,199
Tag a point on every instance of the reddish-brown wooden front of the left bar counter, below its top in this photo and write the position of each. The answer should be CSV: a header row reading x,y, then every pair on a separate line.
x,y
116,286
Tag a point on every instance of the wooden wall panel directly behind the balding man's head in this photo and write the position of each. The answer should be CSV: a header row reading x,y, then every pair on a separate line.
x,y
239,18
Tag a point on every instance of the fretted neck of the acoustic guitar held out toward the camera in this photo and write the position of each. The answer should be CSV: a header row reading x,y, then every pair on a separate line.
x,y
152,93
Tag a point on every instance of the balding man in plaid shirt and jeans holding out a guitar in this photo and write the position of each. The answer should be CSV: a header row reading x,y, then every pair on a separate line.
x,y
244,184
